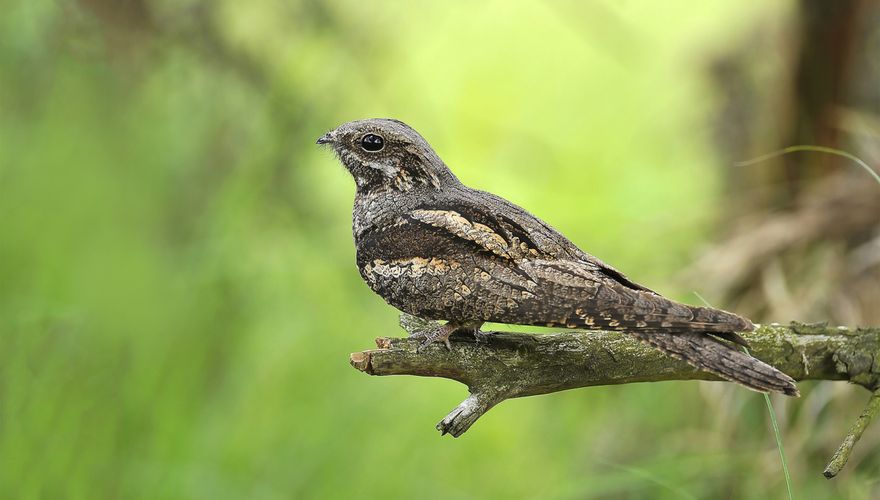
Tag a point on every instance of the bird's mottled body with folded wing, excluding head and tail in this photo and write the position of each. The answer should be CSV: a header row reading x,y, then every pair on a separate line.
x,y
468,255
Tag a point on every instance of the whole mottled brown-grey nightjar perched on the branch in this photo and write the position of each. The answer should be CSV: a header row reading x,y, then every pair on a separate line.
x,y
439,250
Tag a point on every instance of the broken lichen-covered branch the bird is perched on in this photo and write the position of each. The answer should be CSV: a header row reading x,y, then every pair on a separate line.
x,y
496,366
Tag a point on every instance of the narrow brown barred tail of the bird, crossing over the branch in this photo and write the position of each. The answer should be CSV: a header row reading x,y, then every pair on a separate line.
x,y
707,353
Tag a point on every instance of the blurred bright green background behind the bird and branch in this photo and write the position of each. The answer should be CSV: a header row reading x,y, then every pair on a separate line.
x,y
178,294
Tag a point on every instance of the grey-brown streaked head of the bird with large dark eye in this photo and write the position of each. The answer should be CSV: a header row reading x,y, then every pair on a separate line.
x,y
382,153
